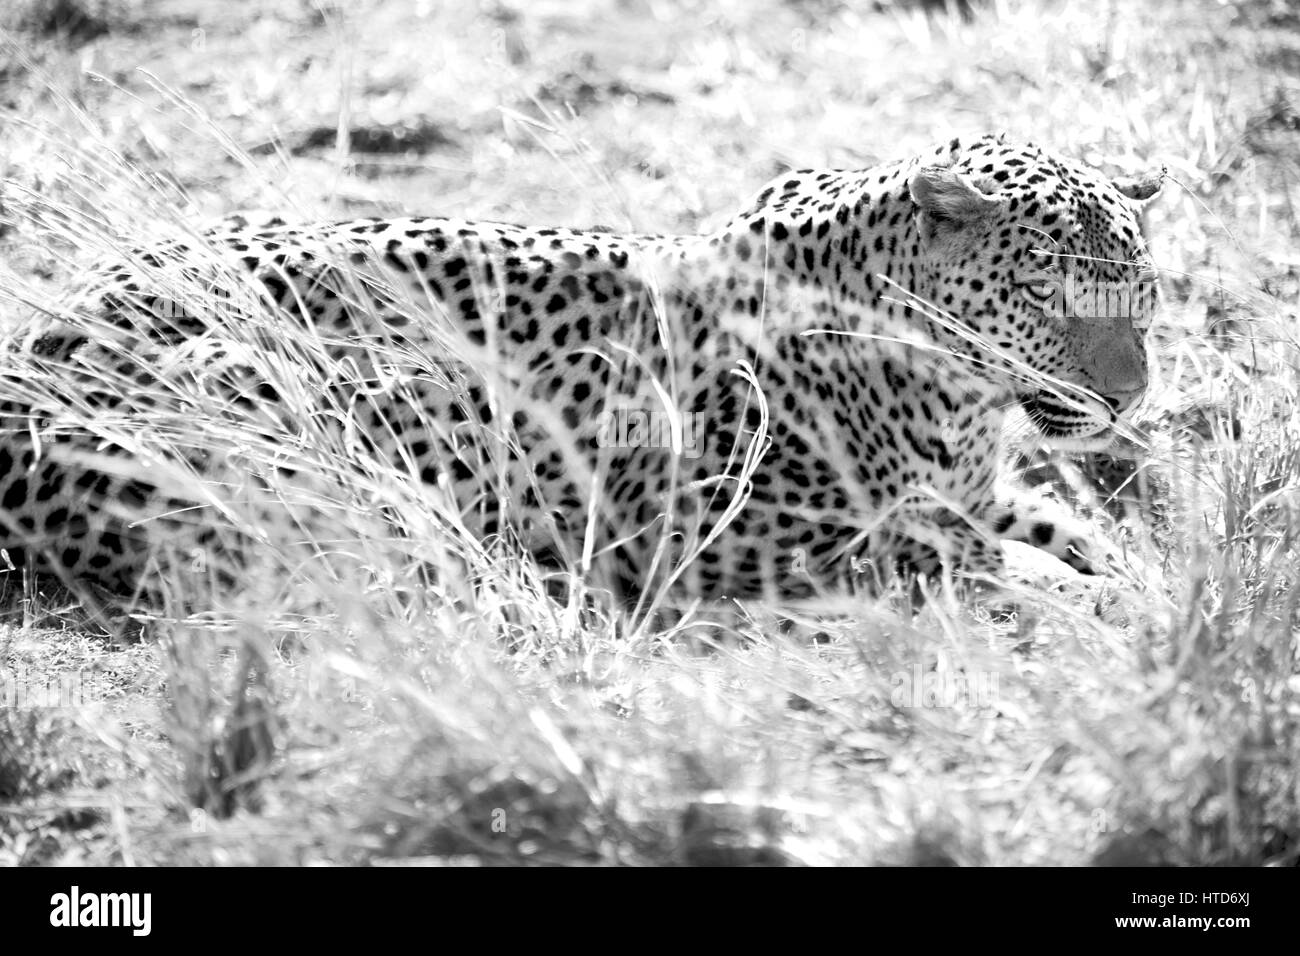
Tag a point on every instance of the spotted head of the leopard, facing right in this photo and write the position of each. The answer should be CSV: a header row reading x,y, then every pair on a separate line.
x,y
1043,259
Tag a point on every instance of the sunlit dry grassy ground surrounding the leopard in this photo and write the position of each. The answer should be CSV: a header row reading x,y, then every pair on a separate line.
x,y
1147,717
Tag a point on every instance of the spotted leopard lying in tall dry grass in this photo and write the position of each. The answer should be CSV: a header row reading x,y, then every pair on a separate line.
x,y
812,397
